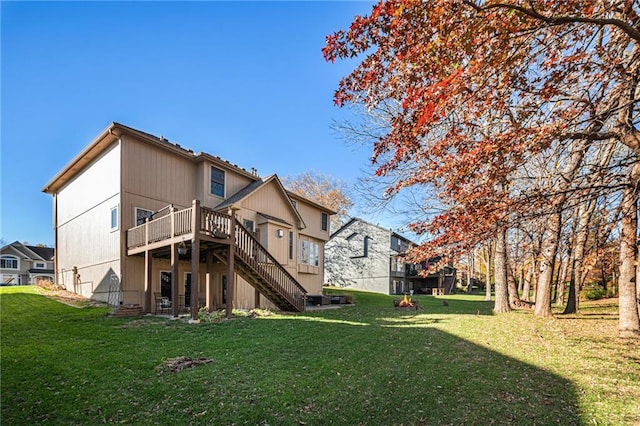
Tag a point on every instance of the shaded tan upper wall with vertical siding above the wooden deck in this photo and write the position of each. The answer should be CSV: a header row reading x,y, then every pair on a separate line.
x,y
150,173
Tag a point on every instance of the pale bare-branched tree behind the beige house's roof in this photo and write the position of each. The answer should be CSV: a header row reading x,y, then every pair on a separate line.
x,y
325,190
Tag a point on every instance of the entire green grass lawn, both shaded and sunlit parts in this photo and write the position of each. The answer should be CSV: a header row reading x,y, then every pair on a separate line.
x,y
369,364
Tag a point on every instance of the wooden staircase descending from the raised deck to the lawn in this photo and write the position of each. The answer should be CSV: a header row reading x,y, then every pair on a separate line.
x,y
260,269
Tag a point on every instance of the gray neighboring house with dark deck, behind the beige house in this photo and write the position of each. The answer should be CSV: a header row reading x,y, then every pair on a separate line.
x,y
365,256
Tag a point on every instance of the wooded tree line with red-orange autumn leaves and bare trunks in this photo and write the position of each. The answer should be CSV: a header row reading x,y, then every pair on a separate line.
x,y
520,120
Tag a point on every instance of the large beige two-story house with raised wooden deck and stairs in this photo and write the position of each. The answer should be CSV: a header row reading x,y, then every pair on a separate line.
x,y
136,215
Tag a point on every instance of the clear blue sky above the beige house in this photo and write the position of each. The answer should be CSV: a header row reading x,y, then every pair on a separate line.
x,y
242,80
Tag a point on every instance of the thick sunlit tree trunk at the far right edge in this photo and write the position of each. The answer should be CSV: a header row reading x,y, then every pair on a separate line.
x,y
629,322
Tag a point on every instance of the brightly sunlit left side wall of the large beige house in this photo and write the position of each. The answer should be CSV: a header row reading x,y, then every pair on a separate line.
x,y
85,238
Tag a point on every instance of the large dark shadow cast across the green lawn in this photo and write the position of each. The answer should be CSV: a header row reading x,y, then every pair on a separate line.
x,y
357,365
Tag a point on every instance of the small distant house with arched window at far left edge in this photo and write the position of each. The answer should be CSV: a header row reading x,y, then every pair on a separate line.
x,y
21,264
